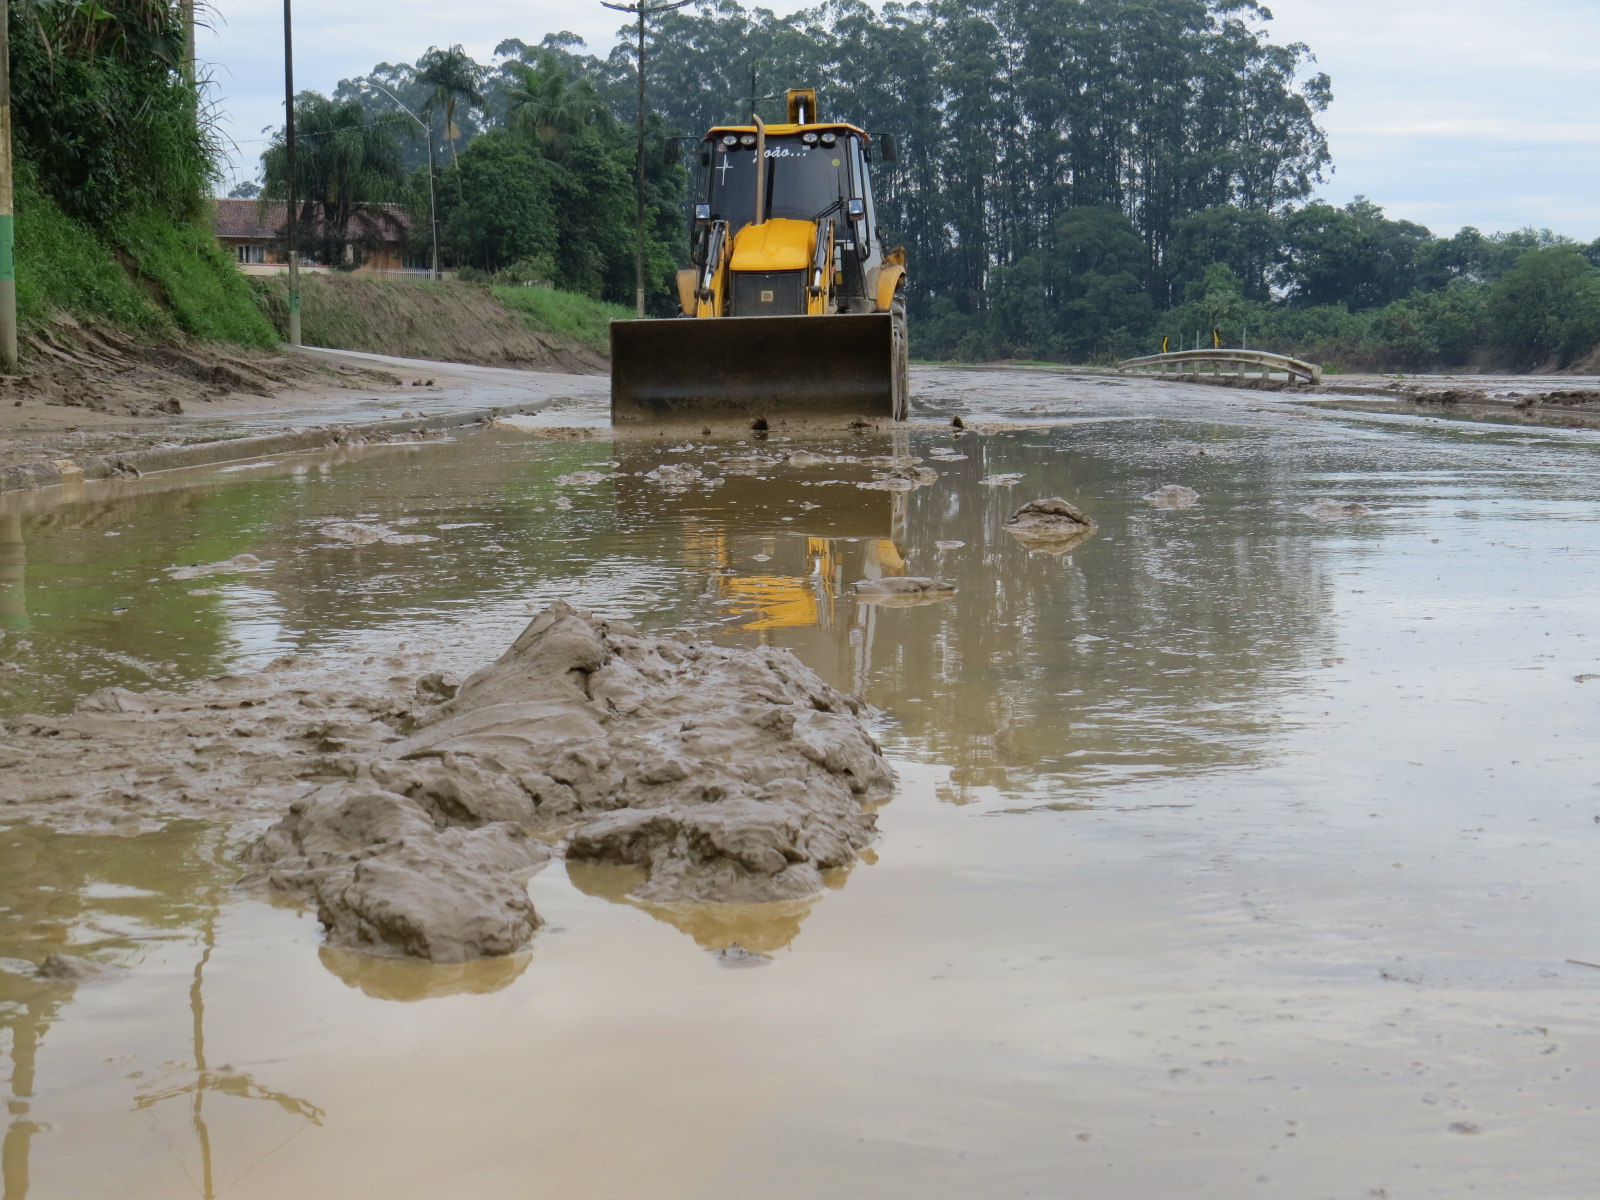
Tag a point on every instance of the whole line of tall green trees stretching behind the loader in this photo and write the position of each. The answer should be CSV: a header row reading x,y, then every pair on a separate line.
x,y
1078,180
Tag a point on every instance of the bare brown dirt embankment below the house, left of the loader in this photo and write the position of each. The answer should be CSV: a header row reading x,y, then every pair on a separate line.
x,y
414,319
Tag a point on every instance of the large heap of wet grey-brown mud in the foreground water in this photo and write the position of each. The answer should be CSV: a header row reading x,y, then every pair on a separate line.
x,y
417,809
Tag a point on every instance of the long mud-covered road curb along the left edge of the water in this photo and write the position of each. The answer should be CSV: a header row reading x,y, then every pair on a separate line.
x,y
34,476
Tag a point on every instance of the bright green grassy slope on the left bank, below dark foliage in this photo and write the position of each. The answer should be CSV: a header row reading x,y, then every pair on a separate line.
x,y
150,276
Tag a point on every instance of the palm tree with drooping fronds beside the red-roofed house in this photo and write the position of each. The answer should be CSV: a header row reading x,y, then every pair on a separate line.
x,y
348,167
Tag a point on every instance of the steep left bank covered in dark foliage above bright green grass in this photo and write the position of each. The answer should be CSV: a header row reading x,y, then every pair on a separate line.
x,y
114,161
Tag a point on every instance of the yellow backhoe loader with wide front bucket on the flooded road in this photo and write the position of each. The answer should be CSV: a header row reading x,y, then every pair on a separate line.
x,y
794,308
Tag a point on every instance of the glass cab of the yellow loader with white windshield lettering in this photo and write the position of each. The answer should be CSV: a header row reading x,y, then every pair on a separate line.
x,y
815,174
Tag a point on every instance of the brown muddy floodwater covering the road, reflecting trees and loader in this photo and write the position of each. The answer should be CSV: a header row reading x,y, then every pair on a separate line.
x,y
1247,849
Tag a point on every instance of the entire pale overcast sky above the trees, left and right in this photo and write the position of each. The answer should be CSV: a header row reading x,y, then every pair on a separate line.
x,y
1449,113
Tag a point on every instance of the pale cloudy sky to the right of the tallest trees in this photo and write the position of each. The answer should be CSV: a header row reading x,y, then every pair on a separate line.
x,y
1457,113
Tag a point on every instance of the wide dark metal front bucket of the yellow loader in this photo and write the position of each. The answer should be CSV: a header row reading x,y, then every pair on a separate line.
x,y
746,367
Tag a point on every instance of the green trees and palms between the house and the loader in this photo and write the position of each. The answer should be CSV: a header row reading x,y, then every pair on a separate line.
x,y
534,177
